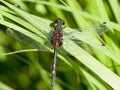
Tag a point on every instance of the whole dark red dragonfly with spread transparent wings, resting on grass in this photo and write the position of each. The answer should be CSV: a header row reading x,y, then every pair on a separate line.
x,y
60,37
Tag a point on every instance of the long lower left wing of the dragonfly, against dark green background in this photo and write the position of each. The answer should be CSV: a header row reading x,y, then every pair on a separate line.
x,y
25,39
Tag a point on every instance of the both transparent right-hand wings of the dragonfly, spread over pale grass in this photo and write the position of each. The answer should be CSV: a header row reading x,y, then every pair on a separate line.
x,y
87,35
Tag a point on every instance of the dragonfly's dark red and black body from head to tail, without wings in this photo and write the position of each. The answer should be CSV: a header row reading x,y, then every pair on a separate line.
x,y
56,41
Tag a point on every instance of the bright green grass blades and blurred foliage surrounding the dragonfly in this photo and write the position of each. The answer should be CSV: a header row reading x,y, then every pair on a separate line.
x,y
92,67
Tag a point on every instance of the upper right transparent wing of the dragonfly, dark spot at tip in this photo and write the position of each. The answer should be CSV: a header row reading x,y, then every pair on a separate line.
x,y
98,28
